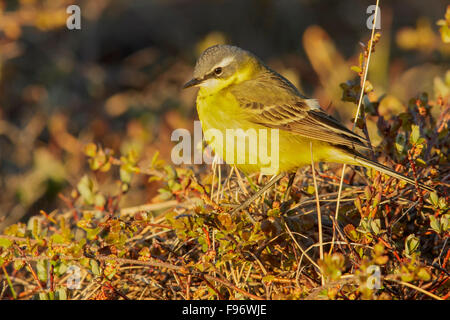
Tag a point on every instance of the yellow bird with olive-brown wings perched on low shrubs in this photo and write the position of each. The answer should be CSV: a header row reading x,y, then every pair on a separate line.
x,y
238,91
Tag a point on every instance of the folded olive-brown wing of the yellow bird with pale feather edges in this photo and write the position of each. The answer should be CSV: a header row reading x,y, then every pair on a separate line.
x,y
272,101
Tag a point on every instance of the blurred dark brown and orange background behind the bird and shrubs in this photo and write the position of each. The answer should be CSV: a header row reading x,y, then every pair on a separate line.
x,y
117,81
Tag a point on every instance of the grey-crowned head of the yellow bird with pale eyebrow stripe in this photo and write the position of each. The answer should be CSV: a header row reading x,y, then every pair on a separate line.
x,y
220,66
